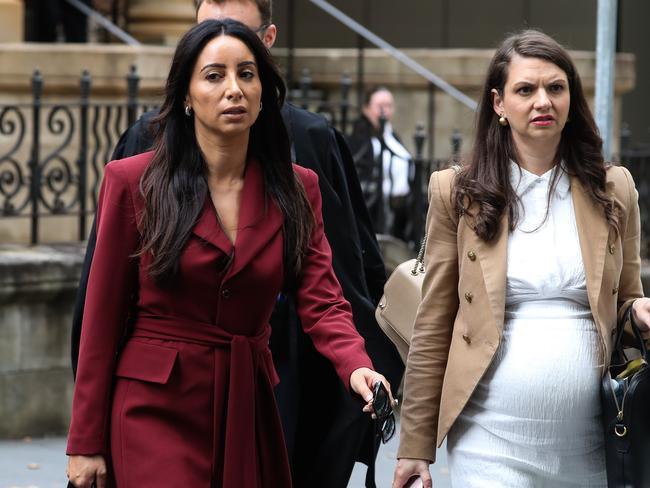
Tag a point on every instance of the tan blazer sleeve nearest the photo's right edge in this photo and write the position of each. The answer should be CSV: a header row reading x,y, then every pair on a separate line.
x,y
630,287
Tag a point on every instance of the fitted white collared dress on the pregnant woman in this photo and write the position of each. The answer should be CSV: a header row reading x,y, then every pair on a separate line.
x,y
533,420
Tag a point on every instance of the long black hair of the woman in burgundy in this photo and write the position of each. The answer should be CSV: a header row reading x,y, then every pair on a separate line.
x,y
174,185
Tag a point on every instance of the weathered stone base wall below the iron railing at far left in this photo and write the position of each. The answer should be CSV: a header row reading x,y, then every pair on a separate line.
x,y
37,290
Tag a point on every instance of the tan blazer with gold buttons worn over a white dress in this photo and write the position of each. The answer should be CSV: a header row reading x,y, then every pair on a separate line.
x,y
460,320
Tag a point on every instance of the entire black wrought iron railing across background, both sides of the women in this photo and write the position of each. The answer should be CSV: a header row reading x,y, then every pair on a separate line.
x,y
52,154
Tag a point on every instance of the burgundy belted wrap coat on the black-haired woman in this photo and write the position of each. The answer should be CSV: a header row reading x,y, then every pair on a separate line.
x,y
188,400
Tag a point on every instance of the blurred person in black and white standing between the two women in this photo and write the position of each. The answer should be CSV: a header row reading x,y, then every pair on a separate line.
x,y
369,145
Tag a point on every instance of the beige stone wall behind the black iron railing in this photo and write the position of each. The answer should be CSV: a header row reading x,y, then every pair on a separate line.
x,y
62,65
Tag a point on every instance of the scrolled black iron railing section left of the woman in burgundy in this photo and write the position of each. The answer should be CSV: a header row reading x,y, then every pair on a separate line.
x,y
52,154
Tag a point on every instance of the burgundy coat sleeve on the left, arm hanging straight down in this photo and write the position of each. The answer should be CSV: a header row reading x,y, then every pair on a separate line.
x,y
112,284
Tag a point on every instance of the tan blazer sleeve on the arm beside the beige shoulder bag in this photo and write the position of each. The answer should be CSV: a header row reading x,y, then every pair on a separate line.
x,y
432,331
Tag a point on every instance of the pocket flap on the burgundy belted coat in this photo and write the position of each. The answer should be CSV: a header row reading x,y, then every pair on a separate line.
x,y
146,362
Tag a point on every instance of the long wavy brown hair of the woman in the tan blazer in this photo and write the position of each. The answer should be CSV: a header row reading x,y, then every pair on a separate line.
x,y
484,184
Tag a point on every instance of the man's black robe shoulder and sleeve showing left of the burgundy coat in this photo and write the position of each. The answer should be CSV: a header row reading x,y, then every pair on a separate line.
x,y
135,140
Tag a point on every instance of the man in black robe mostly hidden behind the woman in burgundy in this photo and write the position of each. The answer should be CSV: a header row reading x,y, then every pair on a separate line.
x,y
324,428
